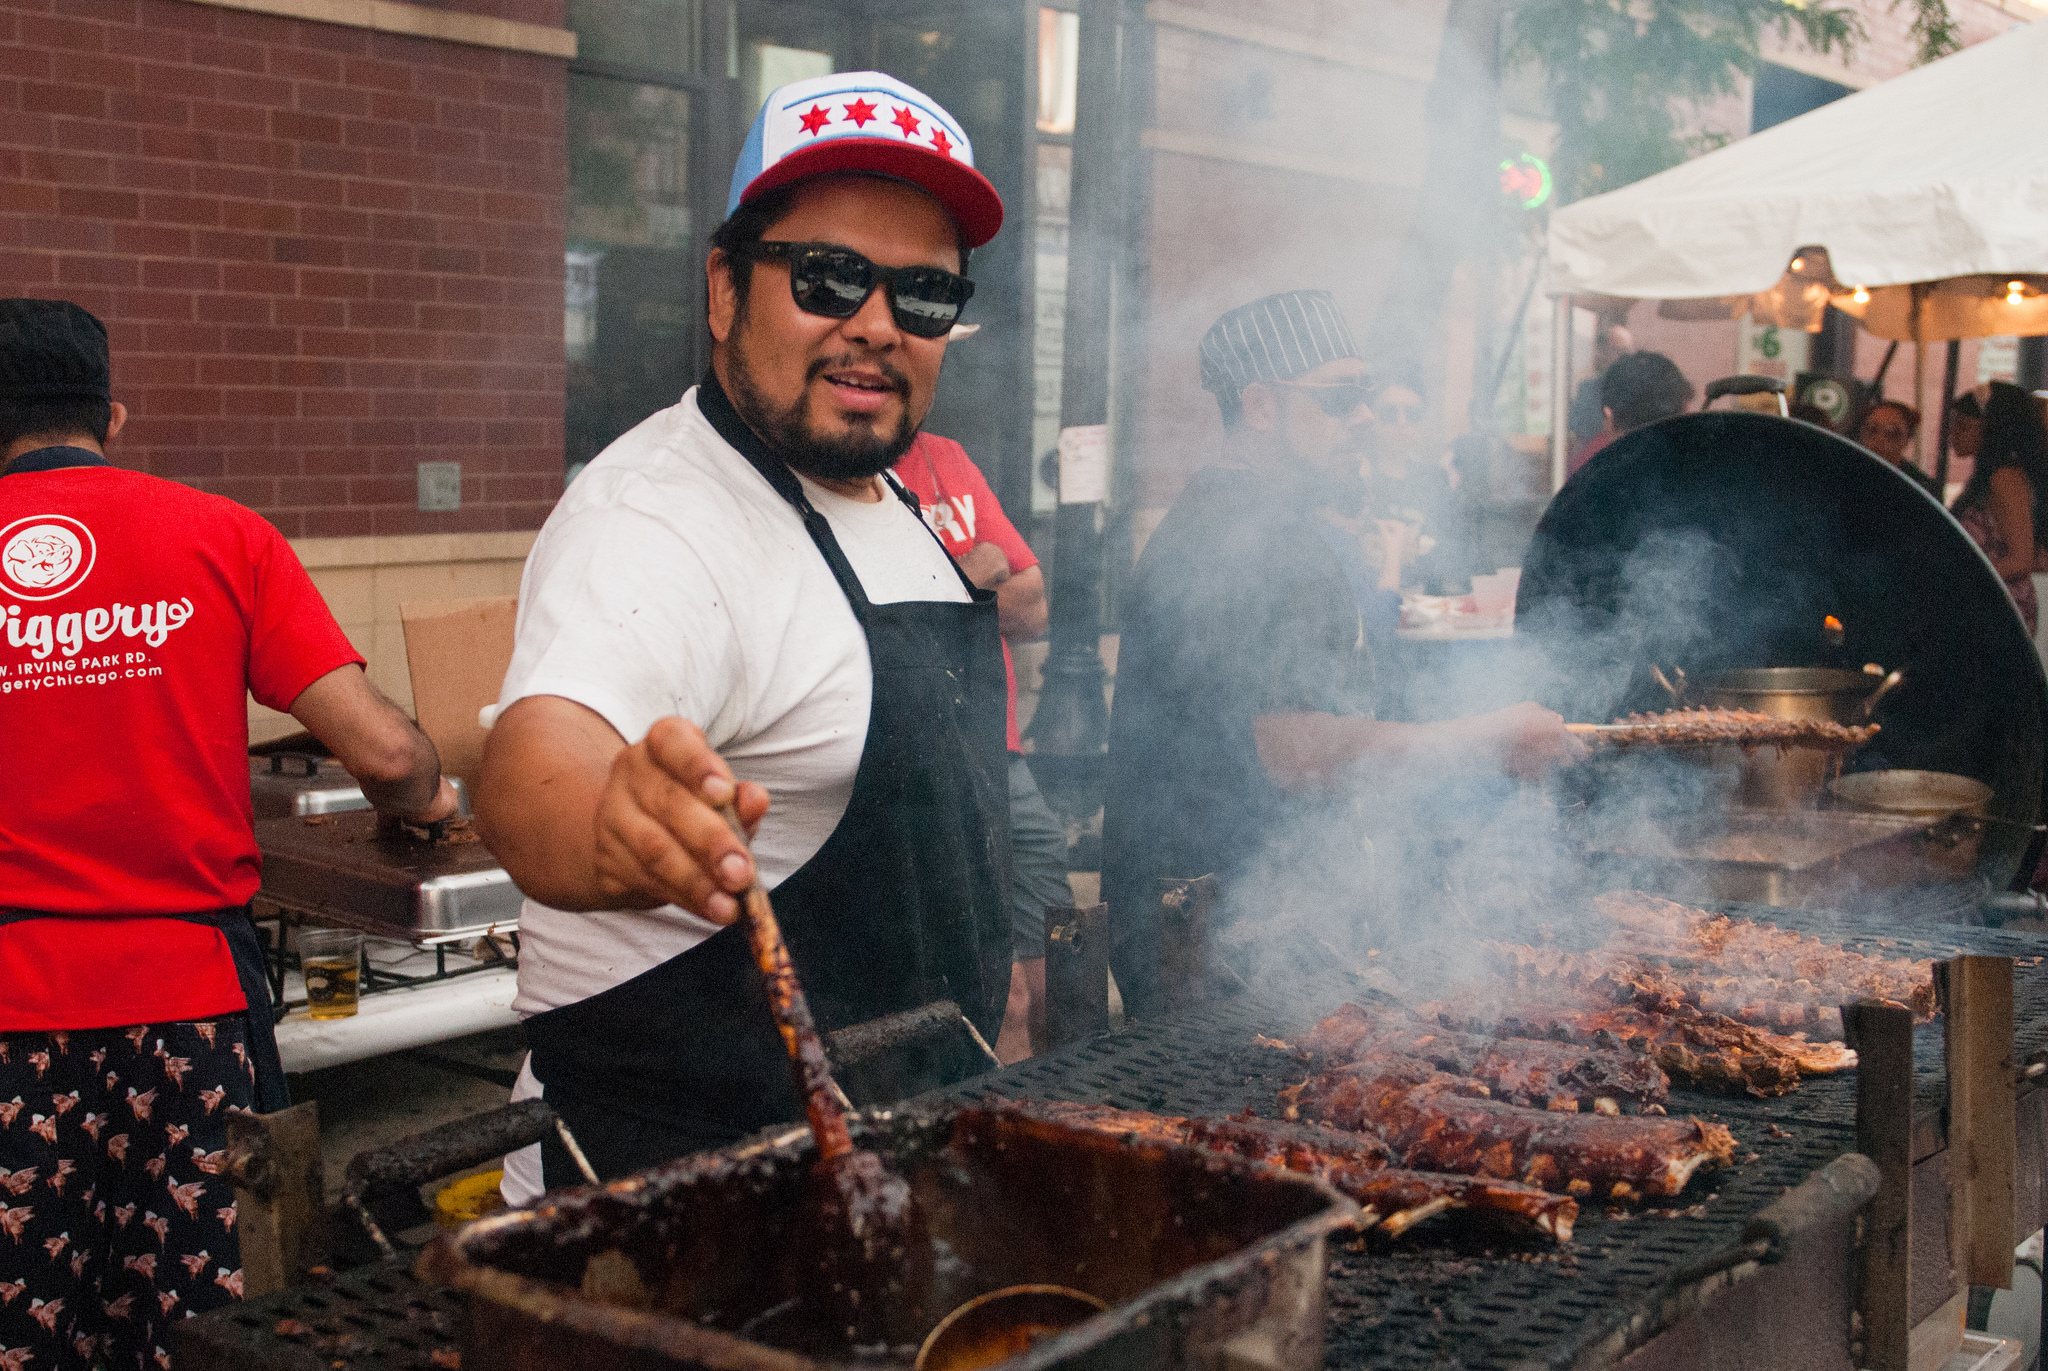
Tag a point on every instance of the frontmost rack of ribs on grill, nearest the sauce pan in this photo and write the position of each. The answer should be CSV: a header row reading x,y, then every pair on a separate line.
x,y
1355,1165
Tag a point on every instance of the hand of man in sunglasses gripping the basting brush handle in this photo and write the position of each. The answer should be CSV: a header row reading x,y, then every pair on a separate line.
x,y
660,835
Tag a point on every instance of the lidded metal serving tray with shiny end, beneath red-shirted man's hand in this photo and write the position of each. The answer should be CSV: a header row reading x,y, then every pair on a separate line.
x,y
343,870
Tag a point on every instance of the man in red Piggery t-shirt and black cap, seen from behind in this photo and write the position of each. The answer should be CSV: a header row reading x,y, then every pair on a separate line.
x,y
136,616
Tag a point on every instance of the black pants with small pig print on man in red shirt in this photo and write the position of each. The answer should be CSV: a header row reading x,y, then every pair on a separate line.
x,y
118,1214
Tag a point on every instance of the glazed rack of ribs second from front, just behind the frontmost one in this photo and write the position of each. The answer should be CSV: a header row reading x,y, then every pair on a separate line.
x,y
1441,1122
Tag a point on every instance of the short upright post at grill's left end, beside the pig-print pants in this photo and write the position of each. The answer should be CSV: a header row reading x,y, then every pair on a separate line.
x,y
280,1196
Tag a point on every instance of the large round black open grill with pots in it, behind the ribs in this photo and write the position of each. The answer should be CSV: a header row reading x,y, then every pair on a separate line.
x,y
1732,542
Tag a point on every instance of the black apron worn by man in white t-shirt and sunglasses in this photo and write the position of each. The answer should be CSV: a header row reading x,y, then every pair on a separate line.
x,y
904,905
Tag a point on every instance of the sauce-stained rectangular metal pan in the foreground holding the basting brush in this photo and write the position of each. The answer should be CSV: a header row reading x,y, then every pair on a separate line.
x,y
693,1263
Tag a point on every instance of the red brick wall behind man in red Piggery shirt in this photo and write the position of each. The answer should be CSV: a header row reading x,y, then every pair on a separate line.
x,y
325,255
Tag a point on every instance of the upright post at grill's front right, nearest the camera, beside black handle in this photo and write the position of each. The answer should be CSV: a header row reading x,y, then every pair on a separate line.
x,y
1883,1040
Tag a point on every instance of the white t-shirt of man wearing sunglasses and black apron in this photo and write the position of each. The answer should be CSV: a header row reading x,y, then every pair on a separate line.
x,y
675,581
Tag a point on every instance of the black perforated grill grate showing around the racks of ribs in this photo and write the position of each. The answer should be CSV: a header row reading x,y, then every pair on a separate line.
x,y
1439,1298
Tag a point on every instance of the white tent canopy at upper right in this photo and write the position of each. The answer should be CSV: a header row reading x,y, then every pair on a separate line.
x,y
1938,173
